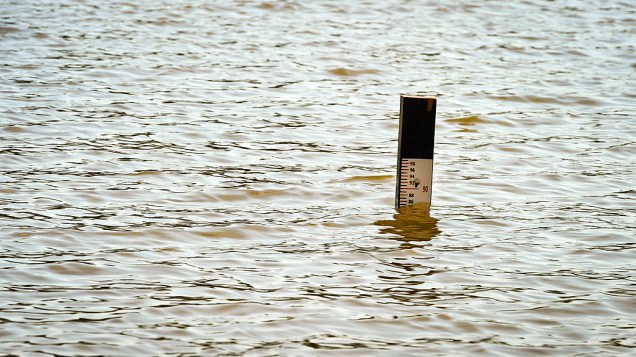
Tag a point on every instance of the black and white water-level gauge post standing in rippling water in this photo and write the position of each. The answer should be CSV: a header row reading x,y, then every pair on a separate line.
x,y
415,150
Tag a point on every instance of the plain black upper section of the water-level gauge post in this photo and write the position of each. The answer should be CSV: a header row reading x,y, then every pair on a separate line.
x,y
417,127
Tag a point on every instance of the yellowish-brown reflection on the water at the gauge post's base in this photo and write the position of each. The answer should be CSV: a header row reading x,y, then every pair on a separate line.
x,y
412,223
